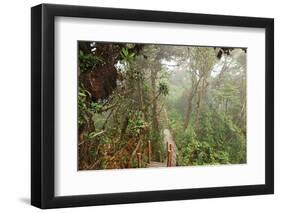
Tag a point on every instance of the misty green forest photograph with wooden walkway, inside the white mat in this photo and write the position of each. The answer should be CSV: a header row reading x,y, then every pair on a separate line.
x,y
160,105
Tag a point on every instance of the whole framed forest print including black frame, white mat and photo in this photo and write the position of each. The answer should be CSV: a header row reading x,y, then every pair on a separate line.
x,y
139,106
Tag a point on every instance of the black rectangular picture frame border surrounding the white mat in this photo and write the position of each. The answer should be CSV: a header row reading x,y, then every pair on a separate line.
x,y
43,111
